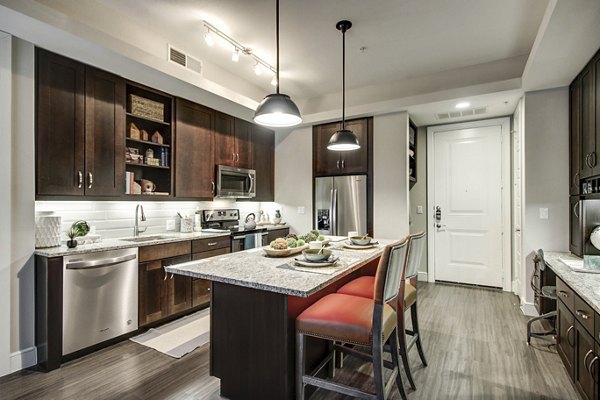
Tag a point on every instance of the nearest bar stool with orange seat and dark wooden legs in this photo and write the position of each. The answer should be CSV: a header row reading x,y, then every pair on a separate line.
x,y
344,319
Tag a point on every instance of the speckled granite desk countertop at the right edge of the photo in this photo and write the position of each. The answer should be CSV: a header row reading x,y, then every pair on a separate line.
x,y
586,285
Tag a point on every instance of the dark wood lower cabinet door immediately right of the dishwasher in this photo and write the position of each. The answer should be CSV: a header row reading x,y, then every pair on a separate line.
x,y
152,292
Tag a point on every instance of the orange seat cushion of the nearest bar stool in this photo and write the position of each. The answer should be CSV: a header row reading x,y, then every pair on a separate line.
x,y
344,318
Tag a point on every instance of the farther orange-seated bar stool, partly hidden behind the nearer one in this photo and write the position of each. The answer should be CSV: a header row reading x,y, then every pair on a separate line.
x,y
407,298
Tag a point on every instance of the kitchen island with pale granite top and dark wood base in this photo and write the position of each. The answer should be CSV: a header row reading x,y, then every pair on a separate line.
x,y
254,304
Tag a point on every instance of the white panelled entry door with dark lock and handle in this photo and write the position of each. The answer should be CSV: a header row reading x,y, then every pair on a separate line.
x,y
468,191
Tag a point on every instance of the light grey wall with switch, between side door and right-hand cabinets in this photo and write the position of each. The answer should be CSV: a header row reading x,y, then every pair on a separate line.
x,y
546,155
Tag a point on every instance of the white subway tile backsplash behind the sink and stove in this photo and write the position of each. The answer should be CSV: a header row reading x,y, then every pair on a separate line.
x,y
116,218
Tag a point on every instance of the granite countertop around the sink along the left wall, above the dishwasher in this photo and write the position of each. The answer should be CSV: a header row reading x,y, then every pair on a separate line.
x,y
121,243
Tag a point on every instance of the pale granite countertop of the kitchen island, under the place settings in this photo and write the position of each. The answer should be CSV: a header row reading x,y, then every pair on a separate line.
x,y
252,268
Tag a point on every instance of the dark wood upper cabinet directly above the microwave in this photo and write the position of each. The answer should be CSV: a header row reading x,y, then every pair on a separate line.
x,y
233,141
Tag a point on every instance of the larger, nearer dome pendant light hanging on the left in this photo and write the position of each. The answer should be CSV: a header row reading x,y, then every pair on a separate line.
x,y
277,109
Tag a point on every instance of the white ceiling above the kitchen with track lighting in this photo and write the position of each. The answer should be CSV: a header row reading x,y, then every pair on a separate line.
x,y
421,55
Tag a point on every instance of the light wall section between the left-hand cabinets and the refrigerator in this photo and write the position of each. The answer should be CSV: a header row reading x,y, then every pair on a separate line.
x,y
293,177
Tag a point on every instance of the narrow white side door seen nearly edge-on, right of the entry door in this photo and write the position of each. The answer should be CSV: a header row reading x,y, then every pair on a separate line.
x,y
517,198
